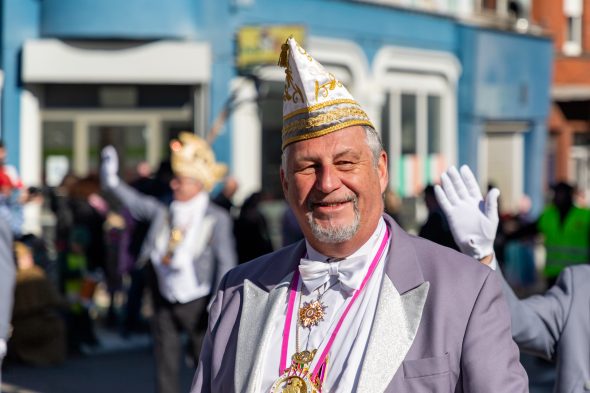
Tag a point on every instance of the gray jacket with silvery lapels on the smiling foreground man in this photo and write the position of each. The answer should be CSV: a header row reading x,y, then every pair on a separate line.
x,y
441,325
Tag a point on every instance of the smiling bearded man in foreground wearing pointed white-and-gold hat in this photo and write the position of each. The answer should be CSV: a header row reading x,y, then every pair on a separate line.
x,y
359,305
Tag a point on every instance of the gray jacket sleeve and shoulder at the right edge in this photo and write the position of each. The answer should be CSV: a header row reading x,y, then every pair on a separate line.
x,y
556,326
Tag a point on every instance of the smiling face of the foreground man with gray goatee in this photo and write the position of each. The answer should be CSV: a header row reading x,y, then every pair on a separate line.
x,y
334,187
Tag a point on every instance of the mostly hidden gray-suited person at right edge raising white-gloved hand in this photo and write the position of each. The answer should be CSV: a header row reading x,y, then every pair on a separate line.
x,y
554,325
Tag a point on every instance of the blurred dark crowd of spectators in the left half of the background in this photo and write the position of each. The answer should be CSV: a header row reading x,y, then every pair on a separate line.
x,y
92,252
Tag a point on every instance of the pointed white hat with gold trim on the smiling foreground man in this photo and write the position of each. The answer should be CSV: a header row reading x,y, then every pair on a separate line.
x,y
315,103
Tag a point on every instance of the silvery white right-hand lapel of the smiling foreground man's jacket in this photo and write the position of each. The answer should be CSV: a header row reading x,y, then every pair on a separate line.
x,y
396,322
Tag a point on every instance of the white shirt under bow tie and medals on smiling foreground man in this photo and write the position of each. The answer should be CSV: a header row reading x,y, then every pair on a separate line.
x,y
348,349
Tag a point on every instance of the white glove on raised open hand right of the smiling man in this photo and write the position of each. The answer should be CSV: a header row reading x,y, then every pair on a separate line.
x,y
473,223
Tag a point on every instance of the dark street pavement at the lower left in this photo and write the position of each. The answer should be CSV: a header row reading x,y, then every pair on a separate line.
x,y
117,365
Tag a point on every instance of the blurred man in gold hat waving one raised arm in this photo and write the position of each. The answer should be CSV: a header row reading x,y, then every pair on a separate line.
x,y
189,244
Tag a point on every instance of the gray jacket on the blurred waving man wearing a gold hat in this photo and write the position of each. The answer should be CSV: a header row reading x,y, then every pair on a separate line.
x,y
219,255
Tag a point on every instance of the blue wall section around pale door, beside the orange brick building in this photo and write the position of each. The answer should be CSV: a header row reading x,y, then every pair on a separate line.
x,y
506,77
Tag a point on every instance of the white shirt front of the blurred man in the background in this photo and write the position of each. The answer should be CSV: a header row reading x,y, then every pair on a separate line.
x,y
178,281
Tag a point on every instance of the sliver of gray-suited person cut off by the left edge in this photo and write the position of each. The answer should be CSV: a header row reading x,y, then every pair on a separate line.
x,y
7,278
